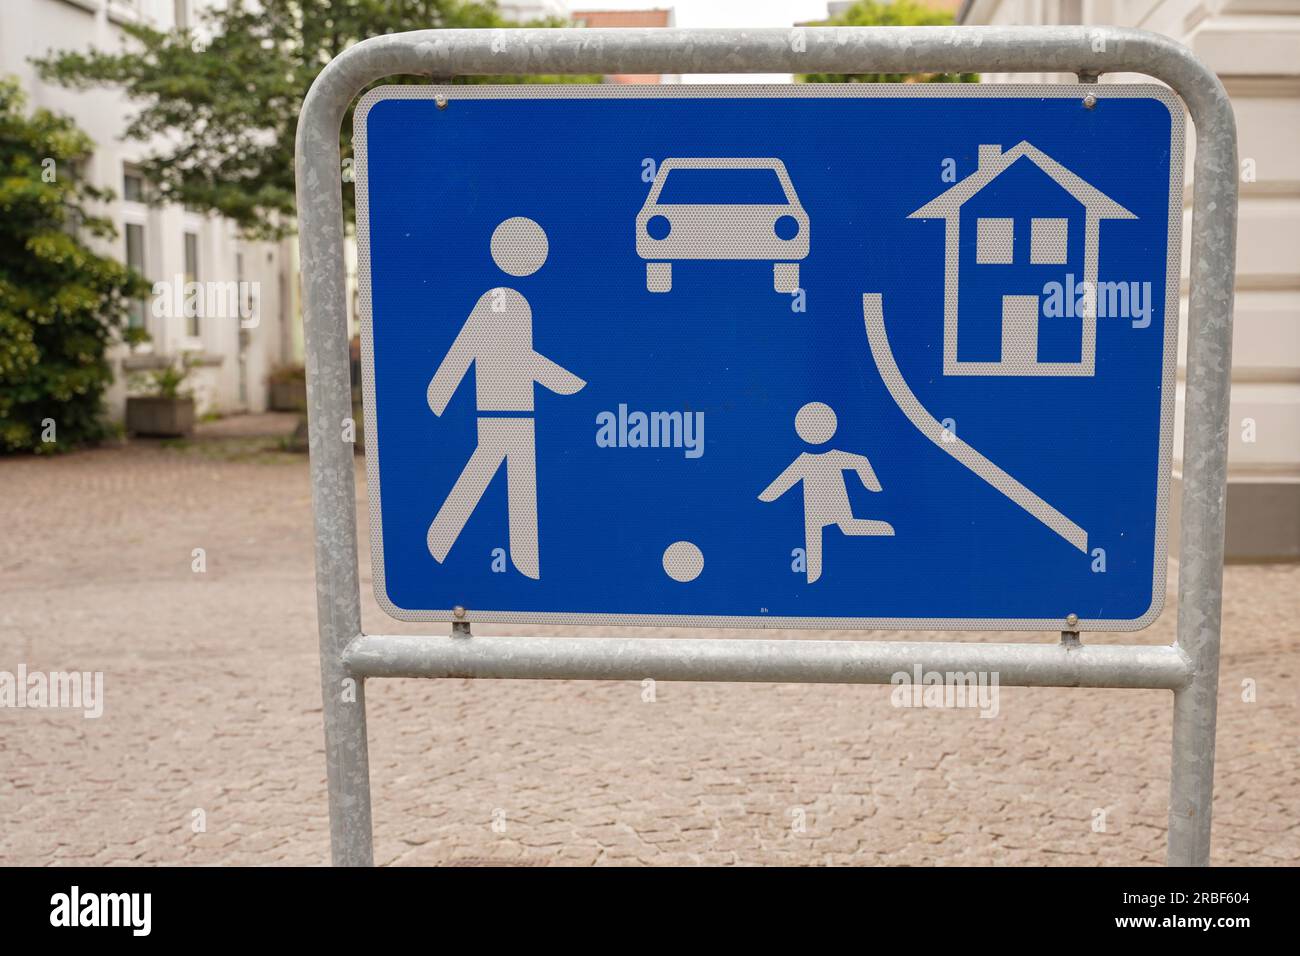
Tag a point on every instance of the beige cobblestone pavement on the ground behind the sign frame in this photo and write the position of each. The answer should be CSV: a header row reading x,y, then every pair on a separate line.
x,y
213,706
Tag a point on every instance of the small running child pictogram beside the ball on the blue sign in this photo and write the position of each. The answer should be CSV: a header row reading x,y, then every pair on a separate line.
x,y
826,499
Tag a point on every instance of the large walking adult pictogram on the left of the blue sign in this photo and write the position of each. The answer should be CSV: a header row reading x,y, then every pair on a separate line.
x,y
497,340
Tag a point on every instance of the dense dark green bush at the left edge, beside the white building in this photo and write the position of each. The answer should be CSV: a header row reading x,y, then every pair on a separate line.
x,y
62,305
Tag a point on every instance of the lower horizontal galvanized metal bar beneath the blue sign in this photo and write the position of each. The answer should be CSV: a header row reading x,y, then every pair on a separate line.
x,y
818,663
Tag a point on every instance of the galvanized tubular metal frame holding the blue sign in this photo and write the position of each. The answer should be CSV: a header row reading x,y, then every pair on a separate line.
x,y
349,657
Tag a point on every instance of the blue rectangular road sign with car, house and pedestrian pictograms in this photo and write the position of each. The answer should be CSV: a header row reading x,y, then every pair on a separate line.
x,y
804,356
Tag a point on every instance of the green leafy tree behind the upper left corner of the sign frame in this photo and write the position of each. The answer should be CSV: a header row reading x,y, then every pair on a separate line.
x,y
226,98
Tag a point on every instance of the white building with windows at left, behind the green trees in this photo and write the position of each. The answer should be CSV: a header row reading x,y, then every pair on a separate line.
x,y
232,375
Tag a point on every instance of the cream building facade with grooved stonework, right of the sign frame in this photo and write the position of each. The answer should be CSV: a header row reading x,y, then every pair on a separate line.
x,y
1255,49
